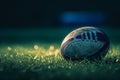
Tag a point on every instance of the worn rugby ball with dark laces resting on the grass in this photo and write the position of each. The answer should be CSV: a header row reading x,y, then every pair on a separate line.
x,y
85,42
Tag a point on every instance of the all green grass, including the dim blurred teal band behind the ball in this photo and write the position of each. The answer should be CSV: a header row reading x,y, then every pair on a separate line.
x,y
33,59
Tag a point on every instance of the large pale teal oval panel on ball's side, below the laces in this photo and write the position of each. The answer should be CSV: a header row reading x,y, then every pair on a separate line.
x,y
79,48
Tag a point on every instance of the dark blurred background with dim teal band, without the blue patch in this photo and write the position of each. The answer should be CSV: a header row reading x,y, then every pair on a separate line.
x,y
39,20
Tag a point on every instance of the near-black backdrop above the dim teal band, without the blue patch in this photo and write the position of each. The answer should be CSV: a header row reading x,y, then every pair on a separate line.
x,y
39,13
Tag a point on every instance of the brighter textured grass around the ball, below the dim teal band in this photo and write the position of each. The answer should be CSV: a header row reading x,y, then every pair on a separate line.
x,y
43,61
